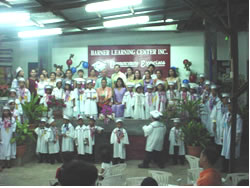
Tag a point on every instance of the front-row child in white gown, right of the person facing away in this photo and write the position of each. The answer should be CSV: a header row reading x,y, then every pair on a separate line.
x,y
177,147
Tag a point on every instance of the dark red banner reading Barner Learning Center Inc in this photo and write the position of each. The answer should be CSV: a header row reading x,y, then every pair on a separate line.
x,y
135,56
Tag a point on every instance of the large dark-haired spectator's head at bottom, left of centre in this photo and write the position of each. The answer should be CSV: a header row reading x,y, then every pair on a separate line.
x,y
79,173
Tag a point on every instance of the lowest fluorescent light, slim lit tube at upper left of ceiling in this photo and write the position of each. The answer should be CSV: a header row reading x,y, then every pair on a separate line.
x,y
38,33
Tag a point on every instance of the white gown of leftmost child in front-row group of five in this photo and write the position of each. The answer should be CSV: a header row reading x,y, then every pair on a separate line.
x,y
42,142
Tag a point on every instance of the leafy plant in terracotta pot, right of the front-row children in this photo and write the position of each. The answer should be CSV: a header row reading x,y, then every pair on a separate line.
x,y
196,137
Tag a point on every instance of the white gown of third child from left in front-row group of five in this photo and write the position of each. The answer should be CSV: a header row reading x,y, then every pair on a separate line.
x,y
68,141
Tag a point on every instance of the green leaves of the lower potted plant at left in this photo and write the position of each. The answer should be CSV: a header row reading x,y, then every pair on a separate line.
x,y
23,132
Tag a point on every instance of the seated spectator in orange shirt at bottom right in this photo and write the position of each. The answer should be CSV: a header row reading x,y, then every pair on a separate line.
x,y
209,176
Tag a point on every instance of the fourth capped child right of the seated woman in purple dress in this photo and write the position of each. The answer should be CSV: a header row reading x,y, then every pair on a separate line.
x,y
160,96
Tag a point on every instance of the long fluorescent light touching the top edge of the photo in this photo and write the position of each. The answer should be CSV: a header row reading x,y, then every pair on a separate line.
x,y
112,4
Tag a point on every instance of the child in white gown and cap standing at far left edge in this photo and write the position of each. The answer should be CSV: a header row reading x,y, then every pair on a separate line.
x,y
7,129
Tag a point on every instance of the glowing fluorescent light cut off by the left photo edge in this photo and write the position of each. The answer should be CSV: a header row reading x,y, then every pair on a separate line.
x,y
13,17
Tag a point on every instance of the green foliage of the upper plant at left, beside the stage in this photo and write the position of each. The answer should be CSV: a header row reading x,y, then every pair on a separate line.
x,y
32,110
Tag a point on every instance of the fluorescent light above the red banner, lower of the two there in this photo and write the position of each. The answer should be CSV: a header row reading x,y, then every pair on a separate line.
x,y
126,21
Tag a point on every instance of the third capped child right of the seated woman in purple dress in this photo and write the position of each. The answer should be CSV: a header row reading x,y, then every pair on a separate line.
x,y
149,101
